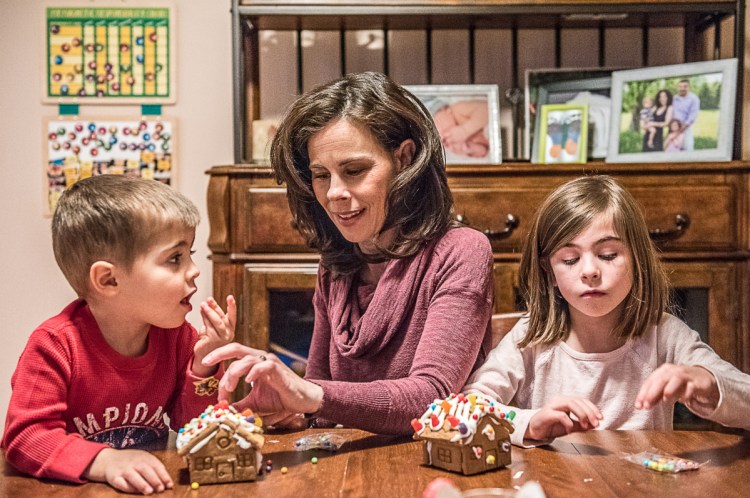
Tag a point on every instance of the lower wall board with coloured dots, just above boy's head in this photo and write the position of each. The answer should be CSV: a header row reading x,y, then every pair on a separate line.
x,y
80,148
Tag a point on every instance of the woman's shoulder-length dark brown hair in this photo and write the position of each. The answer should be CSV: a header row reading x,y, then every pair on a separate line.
x,y
418,204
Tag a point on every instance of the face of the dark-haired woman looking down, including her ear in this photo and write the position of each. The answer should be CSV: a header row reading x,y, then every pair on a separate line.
x,y
351,176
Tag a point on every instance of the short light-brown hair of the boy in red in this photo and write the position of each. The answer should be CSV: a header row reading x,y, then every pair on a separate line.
x,y
113,218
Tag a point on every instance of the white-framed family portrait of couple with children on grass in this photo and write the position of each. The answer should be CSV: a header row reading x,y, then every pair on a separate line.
x,y
683,112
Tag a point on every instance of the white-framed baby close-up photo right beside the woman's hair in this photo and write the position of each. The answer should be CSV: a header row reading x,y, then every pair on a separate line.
x,y
468,119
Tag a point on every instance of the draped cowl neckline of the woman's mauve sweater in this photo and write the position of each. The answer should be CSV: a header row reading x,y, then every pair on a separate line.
x,y
366,317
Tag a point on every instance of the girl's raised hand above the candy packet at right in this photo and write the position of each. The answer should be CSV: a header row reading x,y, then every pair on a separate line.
x,y
694,386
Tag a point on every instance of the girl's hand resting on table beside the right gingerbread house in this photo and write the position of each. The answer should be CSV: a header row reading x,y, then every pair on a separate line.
x,y
564,415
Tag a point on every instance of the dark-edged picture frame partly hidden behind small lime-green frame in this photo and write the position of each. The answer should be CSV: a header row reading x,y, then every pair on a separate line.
x,y
563,86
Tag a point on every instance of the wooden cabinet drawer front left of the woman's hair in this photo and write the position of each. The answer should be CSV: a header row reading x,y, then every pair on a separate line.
x,y
267,222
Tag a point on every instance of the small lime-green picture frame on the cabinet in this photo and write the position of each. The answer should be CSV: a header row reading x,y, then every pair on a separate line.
x,y
562,133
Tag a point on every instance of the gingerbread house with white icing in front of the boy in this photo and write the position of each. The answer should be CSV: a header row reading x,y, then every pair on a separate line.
x,y
222,445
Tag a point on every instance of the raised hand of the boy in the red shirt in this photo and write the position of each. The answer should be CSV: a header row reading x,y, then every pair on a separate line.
x,y
218,330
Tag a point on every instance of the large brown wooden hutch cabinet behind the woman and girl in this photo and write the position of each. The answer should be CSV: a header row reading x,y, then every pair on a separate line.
x,y
698,212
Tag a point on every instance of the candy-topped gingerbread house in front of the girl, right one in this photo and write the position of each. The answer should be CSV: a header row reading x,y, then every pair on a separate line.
x,y
468,434
